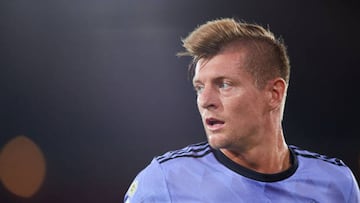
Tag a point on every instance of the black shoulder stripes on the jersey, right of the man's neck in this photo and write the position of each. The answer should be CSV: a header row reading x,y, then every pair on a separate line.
x,y
313,156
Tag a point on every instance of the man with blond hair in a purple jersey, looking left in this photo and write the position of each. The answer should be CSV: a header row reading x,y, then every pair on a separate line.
x,y
241,74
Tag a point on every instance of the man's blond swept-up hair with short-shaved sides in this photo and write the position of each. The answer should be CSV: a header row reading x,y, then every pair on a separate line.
x,y
268,57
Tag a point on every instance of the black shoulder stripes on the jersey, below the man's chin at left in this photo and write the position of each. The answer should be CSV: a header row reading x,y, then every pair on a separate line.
x,y
197,150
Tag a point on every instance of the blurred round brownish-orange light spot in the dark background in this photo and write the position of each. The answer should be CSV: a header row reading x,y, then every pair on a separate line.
x,y
22,166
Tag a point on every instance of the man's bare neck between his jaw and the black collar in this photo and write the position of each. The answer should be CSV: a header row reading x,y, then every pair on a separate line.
x,y
269,157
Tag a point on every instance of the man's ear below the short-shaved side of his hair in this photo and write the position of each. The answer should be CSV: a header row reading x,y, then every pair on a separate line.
x,y
277,92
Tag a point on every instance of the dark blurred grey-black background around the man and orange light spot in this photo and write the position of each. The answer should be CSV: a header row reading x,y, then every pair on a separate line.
x,y
97,86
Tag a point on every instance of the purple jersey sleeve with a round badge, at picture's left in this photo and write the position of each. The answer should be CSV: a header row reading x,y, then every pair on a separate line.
x,y
148,186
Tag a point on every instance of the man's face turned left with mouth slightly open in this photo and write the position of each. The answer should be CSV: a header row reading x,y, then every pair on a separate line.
x,y
232,108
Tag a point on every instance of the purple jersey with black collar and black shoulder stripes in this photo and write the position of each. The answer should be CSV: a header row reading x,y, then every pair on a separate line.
x,y
199,173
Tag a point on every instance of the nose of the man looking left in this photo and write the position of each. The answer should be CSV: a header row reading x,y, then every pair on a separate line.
x,y
208,98
